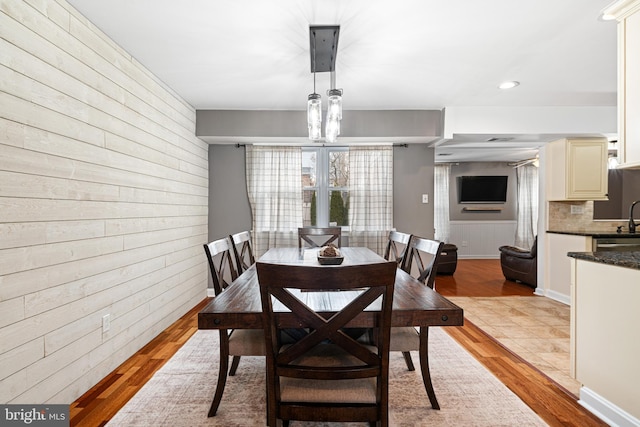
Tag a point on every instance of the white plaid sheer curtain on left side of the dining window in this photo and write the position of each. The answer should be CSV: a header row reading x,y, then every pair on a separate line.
x,y
274,186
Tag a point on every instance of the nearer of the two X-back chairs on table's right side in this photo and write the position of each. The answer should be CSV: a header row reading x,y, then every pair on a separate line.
x,y
420,261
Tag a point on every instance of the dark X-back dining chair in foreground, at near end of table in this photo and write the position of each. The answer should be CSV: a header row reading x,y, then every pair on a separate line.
x,y
327,375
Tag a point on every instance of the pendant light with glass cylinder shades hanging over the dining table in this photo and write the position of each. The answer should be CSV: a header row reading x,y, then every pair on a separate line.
x,y
324,47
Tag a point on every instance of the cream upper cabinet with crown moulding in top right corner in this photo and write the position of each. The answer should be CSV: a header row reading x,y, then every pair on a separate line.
x,y
627,12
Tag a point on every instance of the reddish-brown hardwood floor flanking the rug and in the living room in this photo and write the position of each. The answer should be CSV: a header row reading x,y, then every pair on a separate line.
x,y
472,278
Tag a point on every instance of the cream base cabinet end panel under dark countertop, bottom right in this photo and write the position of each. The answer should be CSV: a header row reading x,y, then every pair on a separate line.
x,y
605,347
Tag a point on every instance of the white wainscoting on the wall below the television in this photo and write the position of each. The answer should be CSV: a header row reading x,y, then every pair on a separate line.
x,y
481,239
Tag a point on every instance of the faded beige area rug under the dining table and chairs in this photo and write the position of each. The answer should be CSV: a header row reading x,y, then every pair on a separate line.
x,y
180,393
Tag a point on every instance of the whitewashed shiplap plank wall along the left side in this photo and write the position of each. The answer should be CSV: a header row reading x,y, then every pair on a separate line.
x,y
103,204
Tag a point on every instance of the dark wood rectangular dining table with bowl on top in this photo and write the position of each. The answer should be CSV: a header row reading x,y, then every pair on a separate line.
x,y
414,304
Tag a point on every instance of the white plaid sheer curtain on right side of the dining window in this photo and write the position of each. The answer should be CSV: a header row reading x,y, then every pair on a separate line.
x,y
370,196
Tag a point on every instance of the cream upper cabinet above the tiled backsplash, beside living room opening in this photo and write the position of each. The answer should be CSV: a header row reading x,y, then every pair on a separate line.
x,y
577,169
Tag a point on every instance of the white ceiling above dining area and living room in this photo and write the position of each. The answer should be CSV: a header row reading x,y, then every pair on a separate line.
x,y
401,54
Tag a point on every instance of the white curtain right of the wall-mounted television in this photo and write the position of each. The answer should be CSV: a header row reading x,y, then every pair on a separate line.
x,y
527,217
